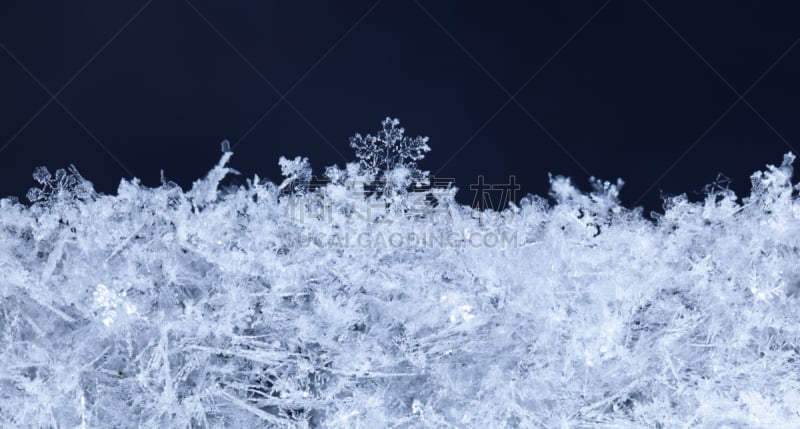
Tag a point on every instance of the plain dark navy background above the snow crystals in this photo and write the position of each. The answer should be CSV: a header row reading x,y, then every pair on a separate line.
x,y
624,88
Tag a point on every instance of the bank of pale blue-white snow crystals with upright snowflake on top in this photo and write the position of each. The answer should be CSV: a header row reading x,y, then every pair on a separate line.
x,y
370,300
